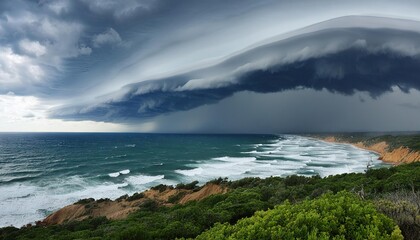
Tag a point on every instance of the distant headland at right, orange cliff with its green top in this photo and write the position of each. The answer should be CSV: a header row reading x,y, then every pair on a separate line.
x,y
390,151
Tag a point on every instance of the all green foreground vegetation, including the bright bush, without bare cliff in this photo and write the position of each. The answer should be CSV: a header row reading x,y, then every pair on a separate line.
x,y
393,191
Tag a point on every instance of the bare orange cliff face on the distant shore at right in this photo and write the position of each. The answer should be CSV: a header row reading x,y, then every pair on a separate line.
x,y
395,156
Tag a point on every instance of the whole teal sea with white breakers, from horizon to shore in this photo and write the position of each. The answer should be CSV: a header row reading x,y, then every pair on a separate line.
x,y
42,172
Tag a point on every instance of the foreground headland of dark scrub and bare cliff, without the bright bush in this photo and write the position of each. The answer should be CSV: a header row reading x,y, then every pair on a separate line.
x,y
388,188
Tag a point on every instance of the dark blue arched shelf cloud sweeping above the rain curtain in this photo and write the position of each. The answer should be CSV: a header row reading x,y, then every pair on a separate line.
x,y
339,60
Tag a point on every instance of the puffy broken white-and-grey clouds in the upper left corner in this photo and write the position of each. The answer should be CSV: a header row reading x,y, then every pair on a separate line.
x,y
34,47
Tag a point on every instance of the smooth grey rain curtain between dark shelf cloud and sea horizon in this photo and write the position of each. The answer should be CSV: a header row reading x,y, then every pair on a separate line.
x,y
292,111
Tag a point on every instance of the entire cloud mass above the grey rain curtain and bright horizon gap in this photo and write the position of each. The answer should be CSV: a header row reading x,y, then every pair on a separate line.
x,y
139,60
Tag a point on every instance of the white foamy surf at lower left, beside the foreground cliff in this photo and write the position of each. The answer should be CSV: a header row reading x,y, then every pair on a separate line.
x,y
35,202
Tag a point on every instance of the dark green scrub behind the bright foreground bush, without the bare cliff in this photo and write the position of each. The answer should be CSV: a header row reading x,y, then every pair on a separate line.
x,y
246,196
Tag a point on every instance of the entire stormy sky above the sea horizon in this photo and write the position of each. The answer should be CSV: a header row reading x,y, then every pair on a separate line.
x,y
237,66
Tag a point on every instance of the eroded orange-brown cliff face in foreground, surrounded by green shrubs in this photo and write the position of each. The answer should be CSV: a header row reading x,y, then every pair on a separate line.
x,y
120,209
